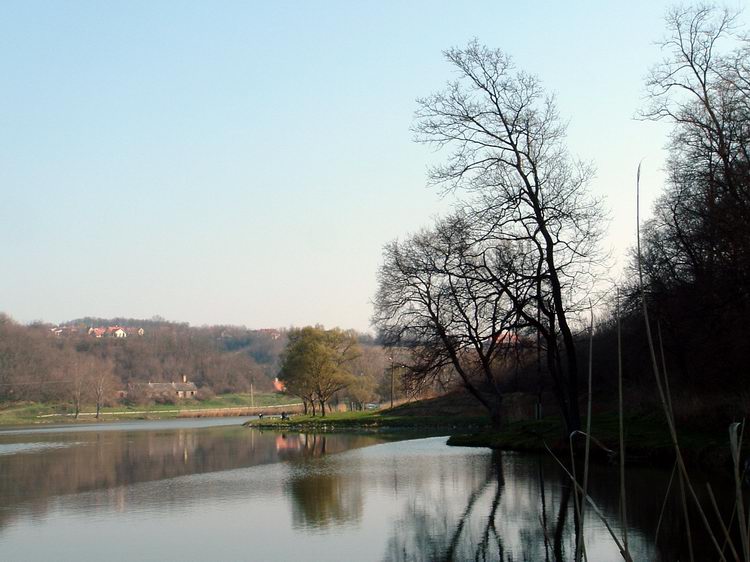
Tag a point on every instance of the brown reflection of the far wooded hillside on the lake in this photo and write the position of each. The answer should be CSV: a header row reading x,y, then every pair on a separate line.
x,y
37,467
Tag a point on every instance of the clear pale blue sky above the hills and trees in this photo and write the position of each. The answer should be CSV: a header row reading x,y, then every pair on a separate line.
x,y
245,162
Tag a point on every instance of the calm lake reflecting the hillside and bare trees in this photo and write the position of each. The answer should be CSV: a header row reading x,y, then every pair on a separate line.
x,y
212,489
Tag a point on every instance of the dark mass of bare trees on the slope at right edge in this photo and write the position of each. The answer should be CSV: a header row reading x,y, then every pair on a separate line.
x,y
695,249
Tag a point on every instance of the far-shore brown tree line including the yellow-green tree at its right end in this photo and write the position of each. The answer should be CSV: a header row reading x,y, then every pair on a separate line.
x,y
78,368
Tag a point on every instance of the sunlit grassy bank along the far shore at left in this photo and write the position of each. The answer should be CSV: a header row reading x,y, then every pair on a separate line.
x,y
33,413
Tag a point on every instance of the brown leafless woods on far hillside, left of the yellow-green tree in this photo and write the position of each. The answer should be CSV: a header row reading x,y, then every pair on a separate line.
x,y
37,365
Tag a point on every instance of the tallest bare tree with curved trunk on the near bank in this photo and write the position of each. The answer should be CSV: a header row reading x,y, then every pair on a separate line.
x,y
507,150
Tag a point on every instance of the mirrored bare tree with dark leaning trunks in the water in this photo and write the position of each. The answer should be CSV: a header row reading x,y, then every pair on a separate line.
x,y
525,515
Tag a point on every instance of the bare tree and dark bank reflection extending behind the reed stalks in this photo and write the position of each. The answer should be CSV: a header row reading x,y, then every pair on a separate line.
x,y
507,506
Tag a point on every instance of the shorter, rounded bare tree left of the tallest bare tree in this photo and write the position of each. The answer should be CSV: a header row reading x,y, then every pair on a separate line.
x,y
433,296
